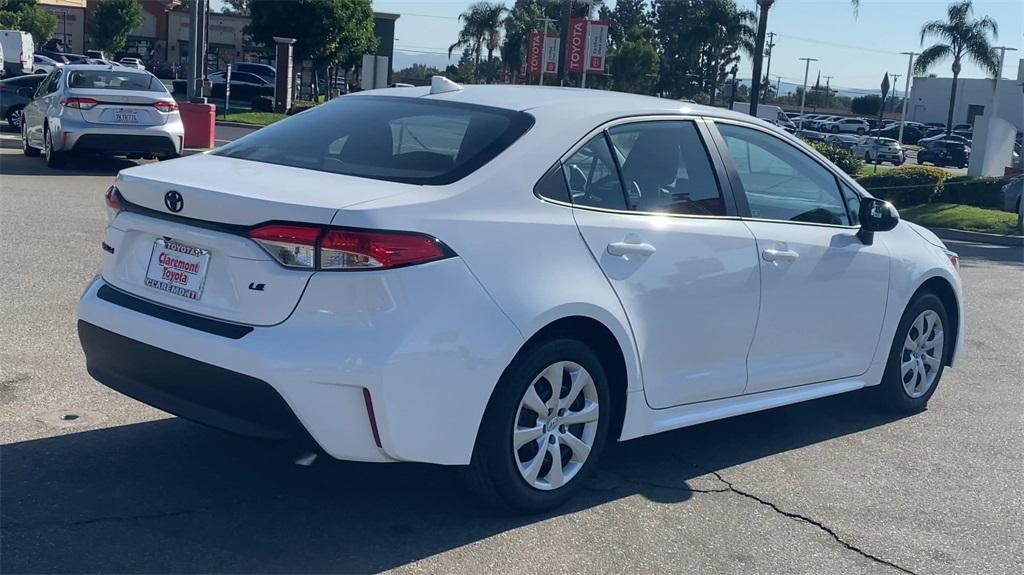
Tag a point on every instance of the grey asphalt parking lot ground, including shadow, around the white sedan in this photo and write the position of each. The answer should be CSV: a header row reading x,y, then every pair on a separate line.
x,y
94,482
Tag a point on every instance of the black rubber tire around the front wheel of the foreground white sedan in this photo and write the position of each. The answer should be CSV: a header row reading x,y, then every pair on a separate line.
x,y
891,394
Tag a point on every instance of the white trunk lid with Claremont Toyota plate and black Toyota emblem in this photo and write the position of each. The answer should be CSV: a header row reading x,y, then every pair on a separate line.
x,y
182,241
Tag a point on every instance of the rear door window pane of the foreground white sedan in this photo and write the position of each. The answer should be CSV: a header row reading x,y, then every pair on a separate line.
x,y
666,168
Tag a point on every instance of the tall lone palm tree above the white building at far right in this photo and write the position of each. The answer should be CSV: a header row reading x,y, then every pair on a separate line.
x,y
960,37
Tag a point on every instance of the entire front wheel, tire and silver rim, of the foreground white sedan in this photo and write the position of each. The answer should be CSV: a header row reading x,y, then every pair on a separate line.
x,y
918,356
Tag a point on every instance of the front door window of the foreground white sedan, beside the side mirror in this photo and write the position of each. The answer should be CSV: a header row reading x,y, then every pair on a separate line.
x,y
782,183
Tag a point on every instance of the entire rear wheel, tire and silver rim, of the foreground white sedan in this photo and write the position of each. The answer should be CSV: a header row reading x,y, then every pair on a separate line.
x,y
544,428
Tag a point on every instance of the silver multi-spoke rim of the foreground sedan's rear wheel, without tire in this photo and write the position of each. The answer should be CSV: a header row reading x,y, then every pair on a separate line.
x,y
556,426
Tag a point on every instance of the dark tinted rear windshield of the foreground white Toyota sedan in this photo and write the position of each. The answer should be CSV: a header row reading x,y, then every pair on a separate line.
x,y
388,139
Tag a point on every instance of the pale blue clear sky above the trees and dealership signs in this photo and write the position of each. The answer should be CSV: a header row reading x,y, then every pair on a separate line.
x,y
856,51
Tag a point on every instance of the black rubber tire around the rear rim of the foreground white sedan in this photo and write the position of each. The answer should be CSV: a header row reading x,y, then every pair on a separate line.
x,y
494,476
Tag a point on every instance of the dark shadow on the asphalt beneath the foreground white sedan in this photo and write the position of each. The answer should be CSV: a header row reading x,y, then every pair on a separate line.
x,y
174,497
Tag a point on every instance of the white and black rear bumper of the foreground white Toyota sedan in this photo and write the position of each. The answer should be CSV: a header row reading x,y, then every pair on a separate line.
x,y
426,342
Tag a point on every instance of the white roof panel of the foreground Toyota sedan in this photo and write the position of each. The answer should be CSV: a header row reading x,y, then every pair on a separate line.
x,y
569,104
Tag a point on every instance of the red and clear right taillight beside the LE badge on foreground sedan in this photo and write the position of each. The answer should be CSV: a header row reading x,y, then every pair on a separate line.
x,y
315,248
